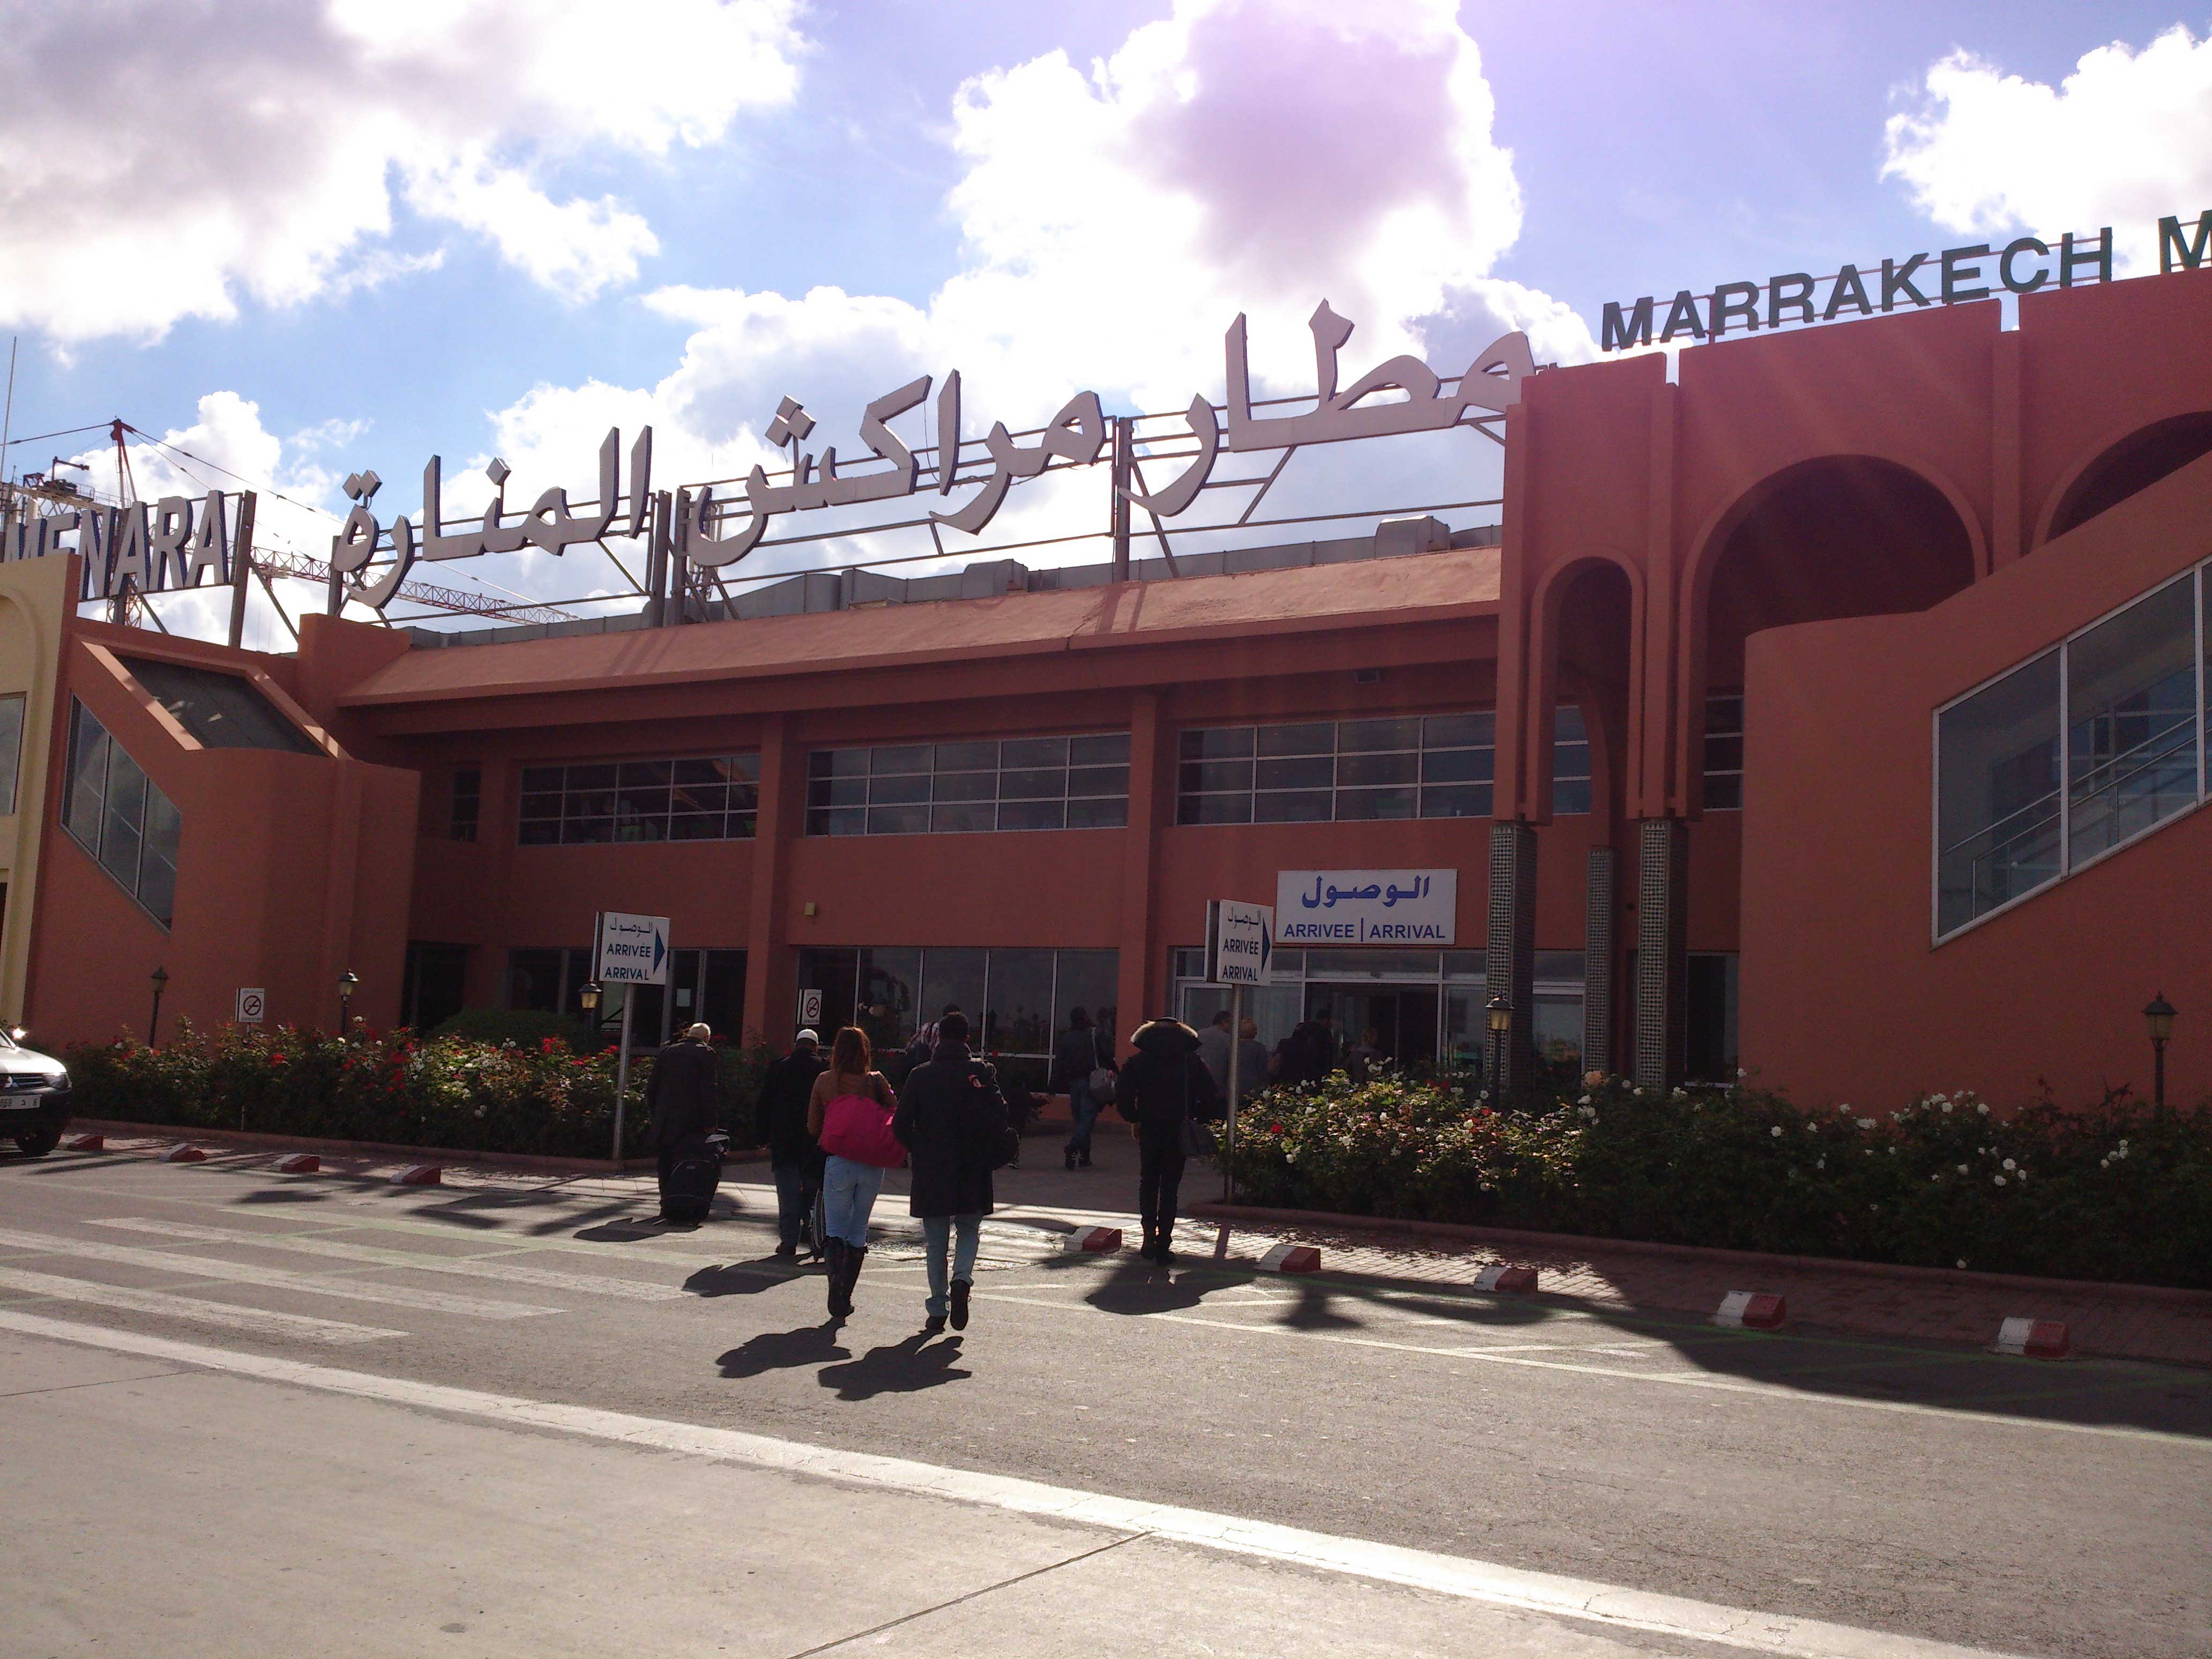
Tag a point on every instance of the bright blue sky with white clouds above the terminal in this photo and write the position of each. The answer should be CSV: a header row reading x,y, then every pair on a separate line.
x,y
309,238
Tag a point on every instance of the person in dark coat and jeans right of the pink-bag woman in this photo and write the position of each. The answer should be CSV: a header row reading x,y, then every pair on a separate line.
x,y
952,1120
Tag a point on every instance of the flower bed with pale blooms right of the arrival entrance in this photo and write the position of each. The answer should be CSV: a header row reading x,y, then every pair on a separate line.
x,y
2120,1191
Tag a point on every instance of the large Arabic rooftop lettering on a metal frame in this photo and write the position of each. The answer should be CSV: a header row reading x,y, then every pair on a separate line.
x,y
1076,437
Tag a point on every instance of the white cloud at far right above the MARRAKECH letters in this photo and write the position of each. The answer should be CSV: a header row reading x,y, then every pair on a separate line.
x,y
2125,140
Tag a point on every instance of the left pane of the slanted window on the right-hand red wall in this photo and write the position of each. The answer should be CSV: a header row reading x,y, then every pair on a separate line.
x,y
1999,793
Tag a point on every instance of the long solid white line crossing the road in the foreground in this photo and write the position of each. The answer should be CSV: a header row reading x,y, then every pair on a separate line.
x,y
1322,1552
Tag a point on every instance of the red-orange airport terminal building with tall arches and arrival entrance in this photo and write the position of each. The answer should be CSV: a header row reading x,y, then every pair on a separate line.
x,y
1830,709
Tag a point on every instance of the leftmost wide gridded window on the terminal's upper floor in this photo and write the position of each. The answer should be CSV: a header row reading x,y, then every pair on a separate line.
x,y
691,800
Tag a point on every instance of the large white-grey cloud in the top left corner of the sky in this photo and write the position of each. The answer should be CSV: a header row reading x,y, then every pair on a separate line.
x,y
163,160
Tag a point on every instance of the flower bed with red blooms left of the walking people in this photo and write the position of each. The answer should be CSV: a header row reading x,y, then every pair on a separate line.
x,y
395,1087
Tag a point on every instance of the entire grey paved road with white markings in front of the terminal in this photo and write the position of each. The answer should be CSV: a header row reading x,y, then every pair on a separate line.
x,y
390,1404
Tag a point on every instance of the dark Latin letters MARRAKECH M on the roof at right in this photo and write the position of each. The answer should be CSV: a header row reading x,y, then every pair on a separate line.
x,y
1952,278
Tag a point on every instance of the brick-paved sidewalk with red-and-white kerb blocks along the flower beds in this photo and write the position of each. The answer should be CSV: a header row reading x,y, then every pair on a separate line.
x,y
1614,1275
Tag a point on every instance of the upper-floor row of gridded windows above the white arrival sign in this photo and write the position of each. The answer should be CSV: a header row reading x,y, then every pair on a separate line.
x,y
1415,766
